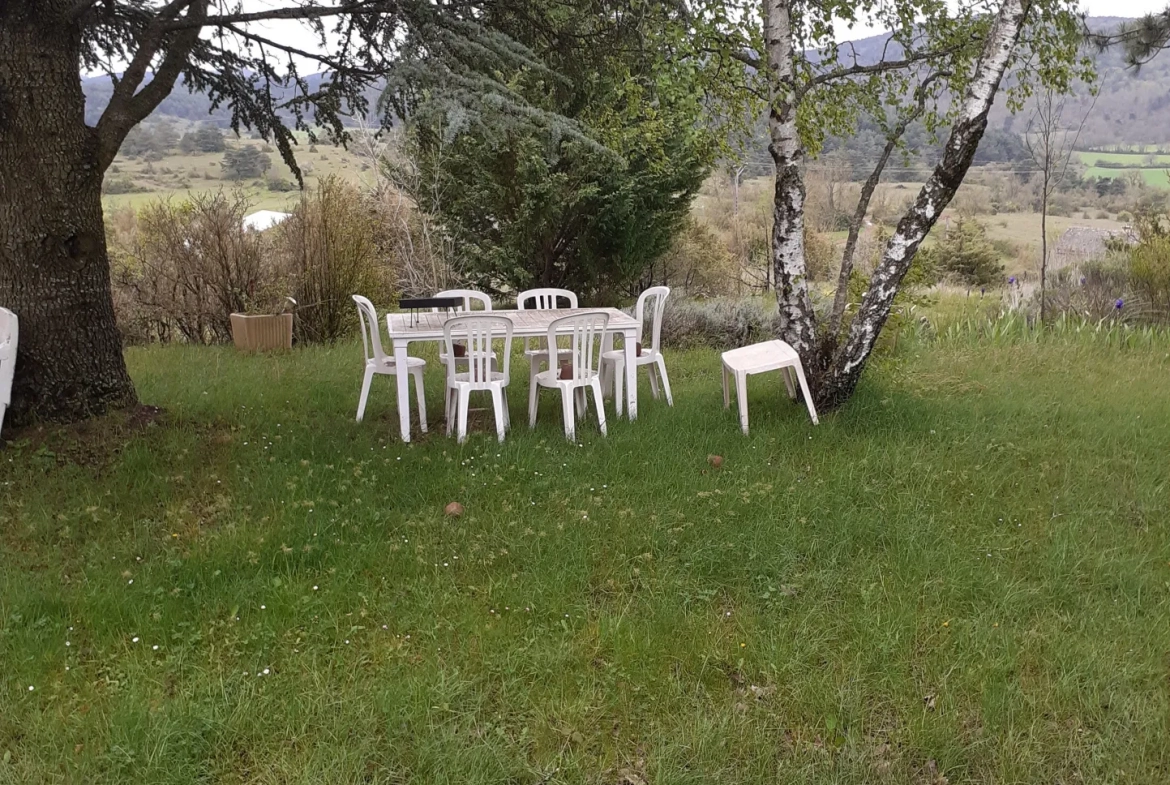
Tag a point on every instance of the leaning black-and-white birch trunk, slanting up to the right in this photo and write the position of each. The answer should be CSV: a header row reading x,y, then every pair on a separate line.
x,y
965,140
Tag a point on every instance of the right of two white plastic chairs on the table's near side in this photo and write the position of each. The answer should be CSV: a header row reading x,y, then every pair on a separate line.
x,y
589,333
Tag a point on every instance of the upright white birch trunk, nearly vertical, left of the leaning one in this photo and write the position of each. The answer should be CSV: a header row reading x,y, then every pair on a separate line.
x,y
799,325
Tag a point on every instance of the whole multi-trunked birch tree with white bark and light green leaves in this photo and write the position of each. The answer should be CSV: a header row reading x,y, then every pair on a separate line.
x,y
816,86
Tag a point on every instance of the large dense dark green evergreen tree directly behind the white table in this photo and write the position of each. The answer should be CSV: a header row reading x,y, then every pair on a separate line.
x,y
587,208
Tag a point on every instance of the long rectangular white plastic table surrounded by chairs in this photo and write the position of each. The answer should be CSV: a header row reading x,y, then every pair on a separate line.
x,y
409,328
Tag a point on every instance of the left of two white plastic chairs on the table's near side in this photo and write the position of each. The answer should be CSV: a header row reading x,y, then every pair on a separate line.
x,y
478,334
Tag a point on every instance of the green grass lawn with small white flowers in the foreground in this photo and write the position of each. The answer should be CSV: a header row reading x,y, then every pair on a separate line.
x,y
965,575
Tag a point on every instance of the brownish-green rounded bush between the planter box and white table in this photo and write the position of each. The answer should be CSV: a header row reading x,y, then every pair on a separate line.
x,y
334,246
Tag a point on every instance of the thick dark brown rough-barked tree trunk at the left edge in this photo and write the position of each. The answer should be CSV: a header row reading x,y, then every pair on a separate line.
x,y
54,268
